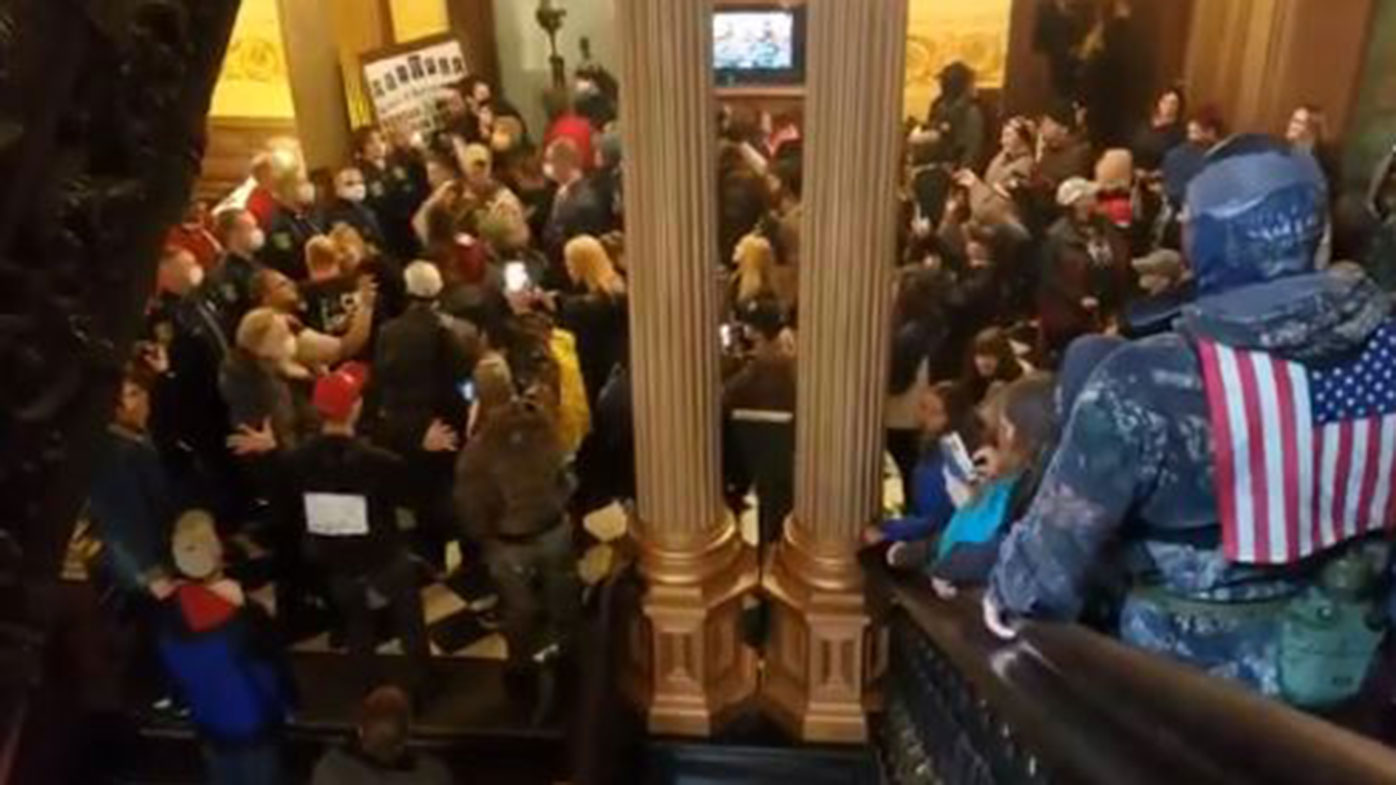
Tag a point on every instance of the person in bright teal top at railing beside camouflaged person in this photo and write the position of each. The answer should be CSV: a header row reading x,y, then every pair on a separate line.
x,y
1024,434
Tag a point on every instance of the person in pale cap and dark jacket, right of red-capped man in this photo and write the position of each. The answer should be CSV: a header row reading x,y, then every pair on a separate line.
x,y
422,364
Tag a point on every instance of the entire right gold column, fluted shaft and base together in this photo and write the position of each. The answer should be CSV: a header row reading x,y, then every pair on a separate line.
x,y
819,664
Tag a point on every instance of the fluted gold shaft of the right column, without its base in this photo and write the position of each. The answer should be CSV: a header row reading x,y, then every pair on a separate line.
x,y
856,65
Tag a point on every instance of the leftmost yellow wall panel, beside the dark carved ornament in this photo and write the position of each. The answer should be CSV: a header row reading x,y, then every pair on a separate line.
x,y
255,82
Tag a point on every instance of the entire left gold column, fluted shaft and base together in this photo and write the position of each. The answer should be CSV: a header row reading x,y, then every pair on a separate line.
x,y
690,666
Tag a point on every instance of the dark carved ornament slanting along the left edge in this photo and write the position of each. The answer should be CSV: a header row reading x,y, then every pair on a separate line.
x,y
103,108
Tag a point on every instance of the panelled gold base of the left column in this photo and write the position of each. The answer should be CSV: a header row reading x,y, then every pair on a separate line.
x,y
688,664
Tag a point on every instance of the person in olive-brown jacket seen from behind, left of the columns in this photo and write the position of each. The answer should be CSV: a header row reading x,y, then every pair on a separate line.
x,y
513,492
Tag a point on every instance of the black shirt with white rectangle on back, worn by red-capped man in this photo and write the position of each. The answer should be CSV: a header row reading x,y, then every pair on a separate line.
x,y
347,490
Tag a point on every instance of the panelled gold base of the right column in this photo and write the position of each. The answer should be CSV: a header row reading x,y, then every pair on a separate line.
x,y
819,656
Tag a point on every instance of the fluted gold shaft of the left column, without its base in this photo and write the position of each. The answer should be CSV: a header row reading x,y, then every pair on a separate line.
x,y
668,126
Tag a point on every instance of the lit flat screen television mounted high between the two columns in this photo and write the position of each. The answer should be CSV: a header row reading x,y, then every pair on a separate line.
x,y
759,45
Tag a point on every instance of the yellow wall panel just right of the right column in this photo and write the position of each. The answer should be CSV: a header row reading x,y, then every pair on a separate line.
x,y
943,31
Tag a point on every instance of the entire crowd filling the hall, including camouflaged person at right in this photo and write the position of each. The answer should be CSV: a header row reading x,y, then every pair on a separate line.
x,y
352,369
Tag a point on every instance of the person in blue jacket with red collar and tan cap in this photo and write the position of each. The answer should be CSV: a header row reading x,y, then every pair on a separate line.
x,y
228,670
